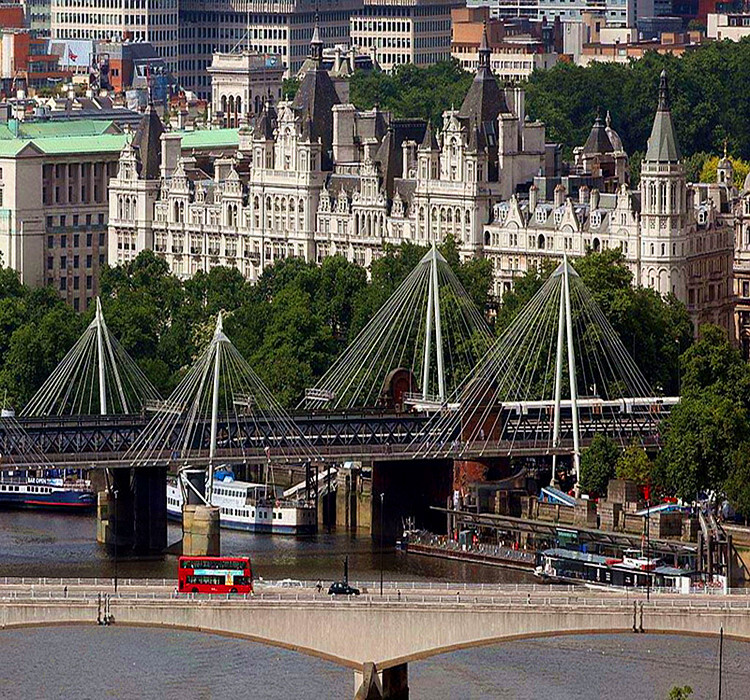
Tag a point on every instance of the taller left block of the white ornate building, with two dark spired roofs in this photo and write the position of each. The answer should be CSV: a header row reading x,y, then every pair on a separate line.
x,y
315,177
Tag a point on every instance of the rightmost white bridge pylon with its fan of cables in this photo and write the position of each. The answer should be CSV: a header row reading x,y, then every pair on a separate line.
x,y
559,361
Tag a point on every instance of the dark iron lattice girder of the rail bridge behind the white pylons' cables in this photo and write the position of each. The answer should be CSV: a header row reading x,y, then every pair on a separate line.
x,y
104,440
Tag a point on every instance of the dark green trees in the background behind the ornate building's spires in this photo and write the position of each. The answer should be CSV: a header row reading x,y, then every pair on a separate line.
x,y
710,89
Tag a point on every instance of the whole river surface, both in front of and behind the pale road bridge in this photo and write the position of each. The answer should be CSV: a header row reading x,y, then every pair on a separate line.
x,y
119,662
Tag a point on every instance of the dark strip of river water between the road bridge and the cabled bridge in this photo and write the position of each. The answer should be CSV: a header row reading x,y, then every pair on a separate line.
x,y
49,544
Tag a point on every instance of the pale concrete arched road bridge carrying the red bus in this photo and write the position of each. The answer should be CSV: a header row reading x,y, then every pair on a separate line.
x,y
377,637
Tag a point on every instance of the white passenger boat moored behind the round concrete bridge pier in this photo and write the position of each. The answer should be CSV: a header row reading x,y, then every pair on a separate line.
x,y
252,507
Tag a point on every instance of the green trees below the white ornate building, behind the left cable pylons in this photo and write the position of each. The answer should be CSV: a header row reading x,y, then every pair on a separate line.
x,y
291,325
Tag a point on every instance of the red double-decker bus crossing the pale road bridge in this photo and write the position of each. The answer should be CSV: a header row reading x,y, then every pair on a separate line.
x,y
215,575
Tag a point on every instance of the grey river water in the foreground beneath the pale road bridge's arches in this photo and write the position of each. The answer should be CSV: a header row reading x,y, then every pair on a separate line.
x,y
57,662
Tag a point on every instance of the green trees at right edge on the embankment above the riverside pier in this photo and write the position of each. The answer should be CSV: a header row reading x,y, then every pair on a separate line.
x,y
705,441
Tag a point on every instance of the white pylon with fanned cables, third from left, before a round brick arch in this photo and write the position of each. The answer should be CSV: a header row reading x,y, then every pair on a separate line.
x,y
416,349
